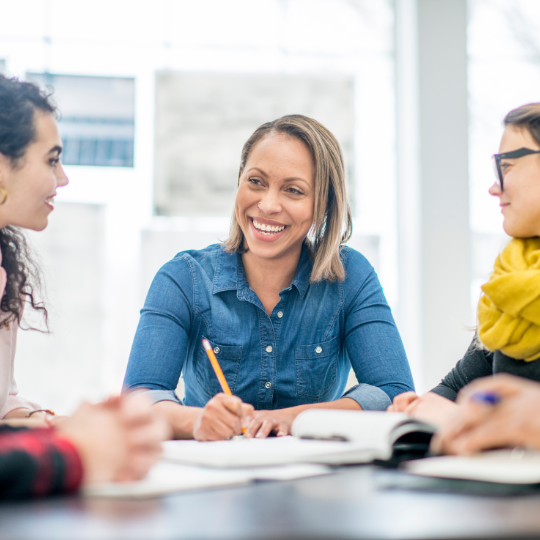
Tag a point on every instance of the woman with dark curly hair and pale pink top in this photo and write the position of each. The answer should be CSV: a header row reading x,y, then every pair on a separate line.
x,y
30,173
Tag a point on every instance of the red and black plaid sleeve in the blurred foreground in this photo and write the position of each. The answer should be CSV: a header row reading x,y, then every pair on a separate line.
x,y
37,462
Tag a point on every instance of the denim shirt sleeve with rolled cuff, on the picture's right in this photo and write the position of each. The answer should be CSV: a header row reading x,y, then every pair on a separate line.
x,y
372,339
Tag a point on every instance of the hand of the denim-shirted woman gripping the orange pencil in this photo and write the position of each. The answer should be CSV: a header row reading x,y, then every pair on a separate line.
x,y
221,418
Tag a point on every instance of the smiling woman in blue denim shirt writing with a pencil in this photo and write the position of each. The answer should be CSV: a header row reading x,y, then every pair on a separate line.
x,y
287,309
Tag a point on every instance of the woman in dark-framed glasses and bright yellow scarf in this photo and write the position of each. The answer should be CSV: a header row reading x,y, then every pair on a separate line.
x,y
508,334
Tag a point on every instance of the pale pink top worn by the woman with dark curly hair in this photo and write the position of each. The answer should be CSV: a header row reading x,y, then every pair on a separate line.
x,y
9,398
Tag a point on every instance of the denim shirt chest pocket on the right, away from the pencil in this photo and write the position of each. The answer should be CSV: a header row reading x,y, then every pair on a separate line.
x,y
316,367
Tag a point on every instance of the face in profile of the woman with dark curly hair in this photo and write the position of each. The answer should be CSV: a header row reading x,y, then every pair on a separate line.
x,y
31,183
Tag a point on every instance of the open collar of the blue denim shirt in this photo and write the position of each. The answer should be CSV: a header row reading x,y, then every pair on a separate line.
x,y
230,275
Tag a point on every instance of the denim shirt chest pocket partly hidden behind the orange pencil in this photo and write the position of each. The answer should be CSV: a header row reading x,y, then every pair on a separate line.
x,y
228,356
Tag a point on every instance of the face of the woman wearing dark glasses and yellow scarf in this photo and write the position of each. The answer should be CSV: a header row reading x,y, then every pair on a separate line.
x,y
520,200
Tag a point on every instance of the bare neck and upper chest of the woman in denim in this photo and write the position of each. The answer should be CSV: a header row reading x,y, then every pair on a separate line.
x,y
270,275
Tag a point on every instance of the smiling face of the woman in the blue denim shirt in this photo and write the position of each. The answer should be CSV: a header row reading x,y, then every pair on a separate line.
x,y
275,198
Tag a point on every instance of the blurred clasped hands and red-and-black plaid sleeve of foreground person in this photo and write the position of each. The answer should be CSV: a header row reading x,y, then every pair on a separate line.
x,y
118,440
